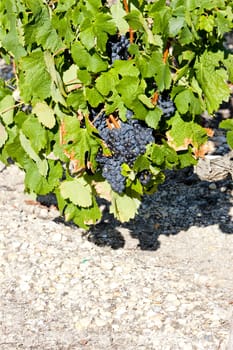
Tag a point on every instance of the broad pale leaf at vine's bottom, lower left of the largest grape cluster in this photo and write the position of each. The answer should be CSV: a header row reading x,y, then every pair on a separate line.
x,y
77,191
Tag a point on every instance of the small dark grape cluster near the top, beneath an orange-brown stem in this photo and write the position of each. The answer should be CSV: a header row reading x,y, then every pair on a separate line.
x,y
117,48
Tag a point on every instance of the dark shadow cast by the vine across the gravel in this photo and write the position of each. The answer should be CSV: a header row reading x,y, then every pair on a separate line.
x,y
176,206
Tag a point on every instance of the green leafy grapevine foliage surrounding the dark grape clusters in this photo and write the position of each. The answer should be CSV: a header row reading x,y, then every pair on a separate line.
x,y
62,70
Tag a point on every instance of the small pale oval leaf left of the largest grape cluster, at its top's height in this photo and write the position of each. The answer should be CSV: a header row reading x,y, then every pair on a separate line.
x,y
45,114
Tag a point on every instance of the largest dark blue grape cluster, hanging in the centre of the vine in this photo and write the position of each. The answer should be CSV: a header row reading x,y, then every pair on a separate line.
x,y
126,143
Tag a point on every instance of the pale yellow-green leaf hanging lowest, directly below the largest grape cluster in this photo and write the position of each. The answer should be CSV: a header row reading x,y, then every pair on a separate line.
x,y
119,205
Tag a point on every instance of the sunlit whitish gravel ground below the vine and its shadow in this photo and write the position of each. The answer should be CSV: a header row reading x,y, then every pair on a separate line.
x,y
60,291
